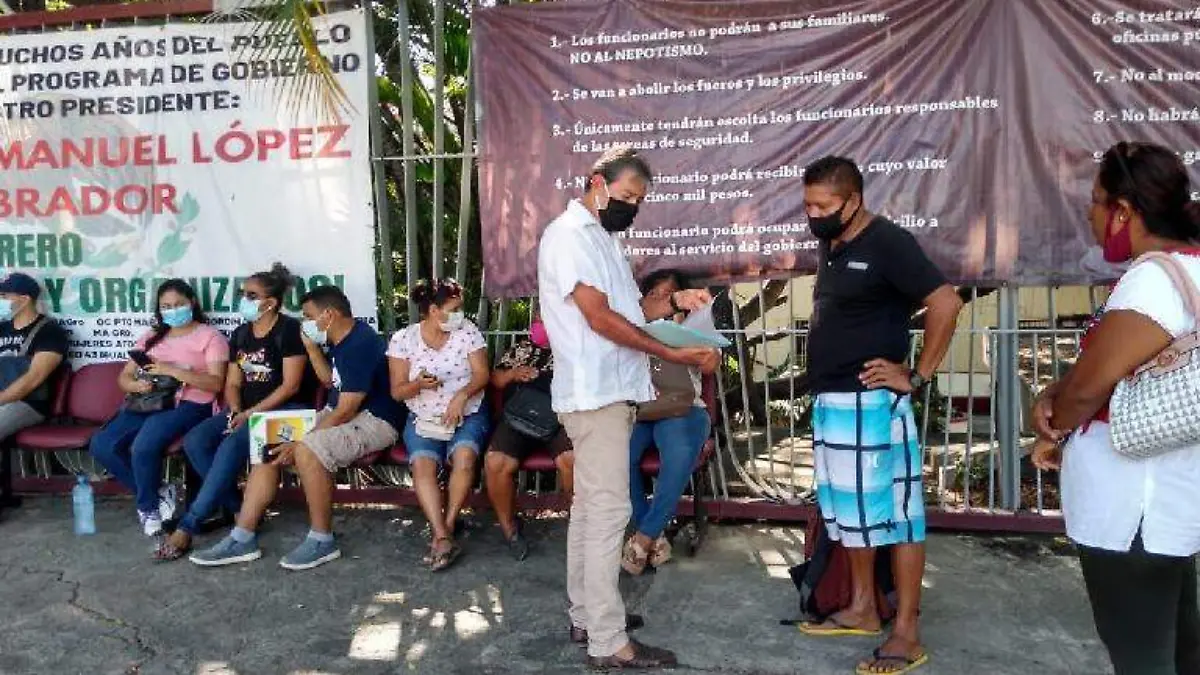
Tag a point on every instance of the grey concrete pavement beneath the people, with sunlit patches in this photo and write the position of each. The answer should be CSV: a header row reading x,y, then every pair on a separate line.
x,y
100,606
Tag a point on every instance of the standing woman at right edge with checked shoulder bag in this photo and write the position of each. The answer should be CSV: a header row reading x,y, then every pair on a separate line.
x,y
1137,523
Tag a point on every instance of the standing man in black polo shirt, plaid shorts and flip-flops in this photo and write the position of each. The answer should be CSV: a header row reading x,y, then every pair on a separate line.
x,y
873,277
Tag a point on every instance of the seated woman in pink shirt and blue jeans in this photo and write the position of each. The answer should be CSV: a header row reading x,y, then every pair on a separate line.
x,y
181,347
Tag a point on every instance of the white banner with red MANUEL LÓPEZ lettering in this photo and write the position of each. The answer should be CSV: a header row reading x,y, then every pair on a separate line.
x,y
134,156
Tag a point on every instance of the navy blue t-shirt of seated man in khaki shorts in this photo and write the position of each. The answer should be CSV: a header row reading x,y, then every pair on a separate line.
x,y
361,367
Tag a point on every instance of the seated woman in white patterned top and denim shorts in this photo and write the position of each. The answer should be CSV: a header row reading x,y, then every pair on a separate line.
x,y
440,371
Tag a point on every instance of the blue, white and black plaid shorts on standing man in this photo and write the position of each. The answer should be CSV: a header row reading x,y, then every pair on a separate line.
x,y
868,469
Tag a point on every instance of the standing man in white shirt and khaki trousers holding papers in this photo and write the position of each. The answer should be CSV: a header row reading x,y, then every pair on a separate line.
x,y
591,306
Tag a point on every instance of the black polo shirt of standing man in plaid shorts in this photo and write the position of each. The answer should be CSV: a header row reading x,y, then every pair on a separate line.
x,y
866,294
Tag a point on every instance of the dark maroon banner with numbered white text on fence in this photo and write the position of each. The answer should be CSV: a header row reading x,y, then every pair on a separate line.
x,y
977,123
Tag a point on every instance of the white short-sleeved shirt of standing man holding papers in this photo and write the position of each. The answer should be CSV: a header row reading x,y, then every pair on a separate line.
x,y
591,372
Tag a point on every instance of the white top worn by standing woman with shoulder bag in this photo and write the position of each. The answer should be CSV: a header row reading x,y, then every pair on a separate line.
x,y
1106,497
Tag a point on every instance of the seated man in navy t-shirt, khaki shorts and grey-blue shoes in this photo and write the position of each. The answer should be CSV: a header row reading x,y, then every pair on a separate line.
x,y
362,419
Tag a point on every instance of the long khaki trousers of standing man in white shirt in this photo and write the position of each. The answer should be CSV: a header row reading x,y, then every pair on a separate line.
x,y
601,513
